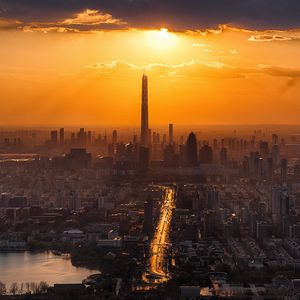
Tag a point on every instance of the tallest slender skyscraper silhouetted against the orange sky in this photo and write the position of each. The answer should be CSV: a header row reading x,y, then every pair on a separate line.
x,y
144,115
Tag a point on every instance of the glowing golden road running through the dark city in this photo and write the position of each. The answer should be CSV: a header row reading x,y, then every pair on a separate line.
x,y
157,271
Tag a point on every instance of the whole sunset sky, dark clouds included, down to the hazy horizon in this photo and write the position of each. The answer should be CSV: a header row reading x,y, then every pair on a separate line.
x,y
82,65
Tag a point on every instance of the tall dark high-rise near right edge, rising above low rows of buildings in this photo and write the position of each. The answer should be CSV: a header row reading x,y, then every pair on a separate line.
x,y
279,203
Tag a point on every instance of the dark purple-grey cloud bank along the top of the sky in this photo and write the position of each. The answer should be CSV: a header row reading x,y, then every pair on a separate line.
x,y
174,14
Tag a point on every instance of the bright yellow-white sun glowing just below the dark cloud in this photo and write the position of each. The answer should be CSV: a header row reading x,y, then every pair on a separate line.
x,y
161,39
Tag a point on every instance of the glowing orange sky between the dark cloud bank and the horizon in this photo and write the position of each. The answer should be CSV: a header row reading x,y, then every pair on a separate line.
x,y
228,76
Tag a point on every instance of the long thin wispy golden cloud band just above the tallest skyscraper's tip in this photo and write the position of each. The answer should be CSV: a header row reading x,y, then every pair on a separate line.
x,y
198,69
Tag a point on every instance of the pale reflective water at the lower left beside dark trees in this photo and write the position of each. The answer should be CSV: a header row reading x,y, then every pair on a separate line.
x,y
35,267
